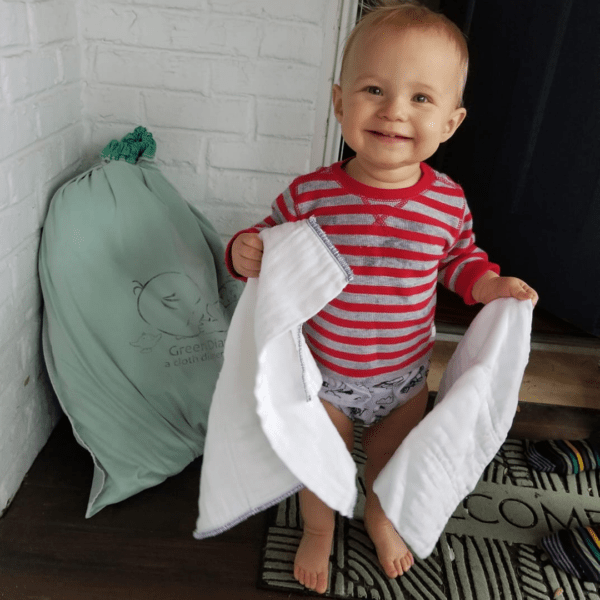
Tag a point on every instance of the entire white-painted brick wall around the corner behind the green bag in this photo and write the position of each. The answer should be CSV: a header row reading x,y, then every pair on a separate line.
x,y
229,89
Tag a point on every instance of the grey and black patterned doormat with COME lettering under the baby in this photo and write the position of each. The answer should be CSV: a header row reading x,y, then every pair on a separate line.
x,y
489,549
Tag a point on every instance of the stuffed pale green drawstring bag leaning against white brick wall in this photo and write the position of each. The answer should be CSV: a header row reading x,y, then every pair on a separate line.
x,y
137,303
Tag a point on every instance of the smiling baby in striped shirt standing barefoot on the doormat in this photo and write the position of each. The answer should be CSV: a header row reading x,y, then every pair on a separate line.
x,y
402,227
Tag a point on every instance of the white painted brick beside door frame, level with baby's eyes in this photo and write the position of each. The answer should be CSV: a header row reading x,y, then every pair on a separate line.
x,y
274,79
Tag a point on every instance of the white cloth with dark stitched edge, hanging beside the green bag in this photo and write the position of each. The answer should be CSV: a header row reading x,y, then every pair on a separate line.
x,y
268,433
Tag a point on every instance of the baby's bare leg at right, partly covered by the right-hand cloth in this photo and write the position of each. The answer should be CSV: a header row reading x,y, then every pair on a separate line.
x,y
380,442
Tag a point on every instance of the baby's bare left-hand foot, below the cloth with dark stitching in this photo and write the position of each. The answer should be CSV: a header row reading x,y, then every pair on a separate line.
x,y
311,566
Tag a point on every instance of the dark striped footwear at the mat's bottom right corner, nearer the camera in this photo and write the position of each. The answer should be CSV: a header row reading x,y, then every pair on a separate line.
x,y
575,551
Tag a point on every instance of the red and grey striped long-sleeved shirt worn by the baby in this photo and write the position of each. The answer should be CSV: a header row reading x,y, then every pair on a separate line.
x,y
398,243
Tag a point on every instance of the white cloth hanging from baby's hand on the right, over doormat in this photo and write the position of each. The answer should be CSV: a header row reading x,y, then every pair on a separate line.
x,y
443,458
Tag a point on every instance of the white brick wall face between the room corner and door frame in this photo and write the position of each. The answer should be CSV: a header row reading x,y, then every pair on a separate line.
x,y
227,87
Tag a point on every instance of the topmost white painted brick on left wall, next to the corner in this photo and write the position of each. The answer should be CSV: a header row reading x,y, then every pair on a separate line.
x,y
53,21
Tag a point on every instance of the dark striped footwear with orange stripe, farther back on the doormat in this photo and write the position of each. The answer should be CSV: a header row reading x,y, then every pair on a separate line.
x,y
563,457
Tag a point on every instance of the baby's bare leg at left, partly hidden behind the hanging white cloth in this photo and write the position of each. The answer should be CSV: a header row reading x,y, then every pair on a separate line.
x,y
311,566
